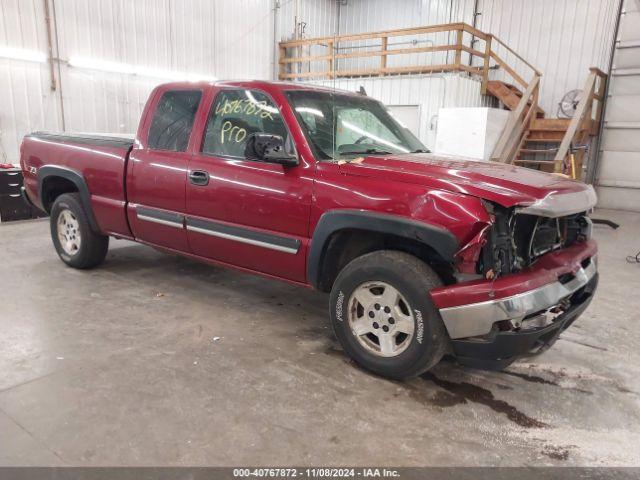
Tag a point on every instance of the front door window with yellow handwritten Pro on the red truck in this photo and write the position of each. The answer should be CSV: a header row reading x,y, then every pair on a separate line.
x,y
234,116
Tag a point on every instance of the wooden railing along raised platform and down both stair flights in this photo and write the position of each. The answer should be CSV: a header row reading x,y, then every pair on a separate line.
x,y
324,58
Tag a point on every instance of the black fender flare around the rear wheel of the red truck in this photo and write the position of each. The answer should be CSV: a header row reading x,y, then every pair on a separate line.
x,y
54,181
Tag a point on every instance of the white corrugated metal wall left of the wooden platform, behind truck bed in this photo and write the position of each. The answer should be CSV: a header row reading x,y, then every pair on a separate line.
x,y
222,39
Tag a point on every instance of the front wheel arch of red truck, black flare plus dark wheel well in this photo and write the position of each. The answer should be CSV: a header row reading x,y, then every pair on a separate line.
x,y
342,235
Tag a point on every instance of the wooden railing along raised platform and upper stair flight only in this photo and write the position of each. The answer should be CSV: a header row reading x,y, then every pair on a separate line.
x,y
338,56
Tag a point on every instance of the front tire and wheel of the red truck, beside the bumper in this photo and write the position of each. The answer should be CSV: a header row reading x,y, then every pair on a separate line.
x,y
418,336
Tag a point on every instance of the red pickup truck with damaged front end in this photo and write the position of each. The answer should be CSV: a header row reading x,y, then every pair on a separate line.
x,y
423,255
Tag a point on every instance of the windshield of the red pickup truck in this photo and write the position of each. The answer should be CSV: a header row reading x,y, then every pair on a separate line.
x,y
339,125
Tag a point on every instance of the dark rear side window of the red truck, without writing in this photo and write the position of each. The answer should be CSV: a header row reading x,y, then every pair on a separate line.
x,y
173,119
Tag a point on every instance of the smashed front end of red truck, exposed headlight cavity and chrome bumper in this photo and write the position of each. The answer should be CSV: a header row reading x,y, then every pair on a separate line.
x,y
532,276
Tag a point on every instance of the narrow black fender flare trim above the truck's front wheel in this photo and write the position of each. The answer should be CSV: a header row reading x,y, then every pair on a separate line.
x,y
439,239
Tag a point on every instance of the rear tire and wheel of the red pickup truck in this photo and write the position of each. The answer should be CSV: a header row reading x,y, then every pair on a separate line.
x,y
75,242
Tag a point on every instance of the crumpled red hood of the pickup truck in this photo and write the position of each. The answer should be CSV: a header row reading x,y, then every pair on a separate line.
x,y
506,185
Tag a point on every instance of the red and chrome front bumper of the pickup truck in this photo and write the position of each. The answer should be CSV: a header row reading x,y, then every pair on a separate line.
x,y
491,323
